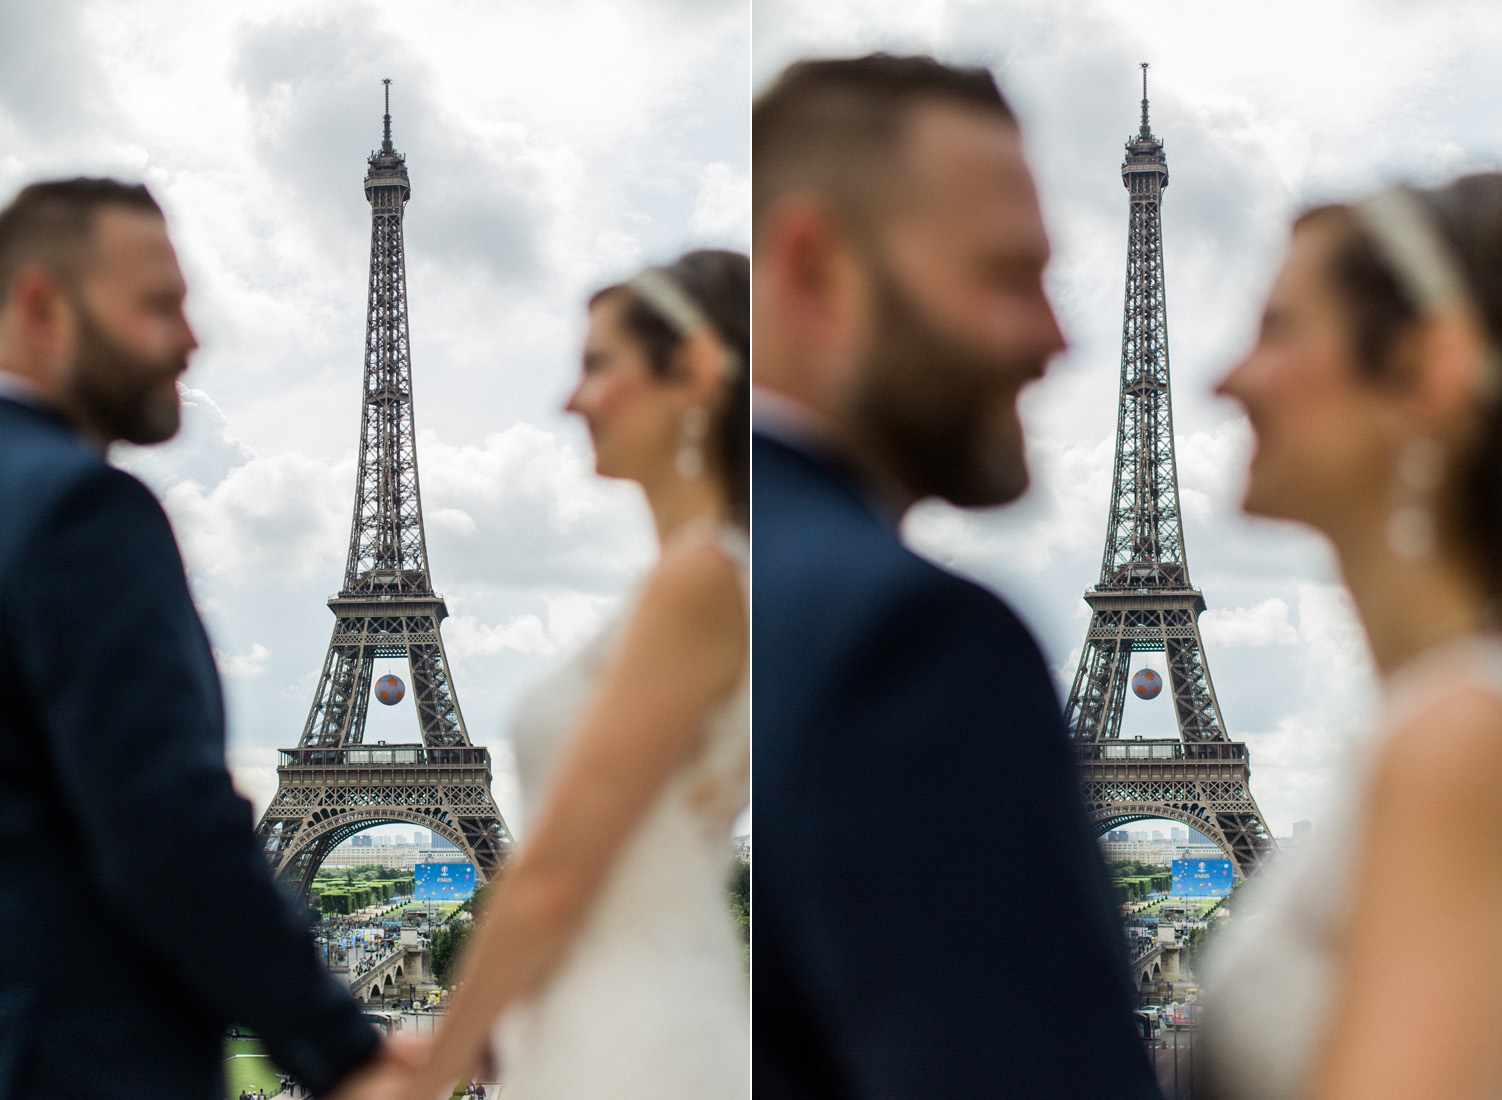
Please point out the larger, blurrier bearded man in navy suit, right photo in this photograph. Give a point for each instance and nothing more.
(933, 917)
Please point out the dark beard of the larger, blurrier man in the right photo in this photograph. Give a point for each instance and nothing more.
(927, 405)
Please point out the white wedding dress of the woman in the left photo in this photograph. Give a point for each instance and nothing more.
(651, 1000)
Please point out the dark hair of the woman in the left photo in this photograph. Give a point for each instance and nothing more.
(720, 285)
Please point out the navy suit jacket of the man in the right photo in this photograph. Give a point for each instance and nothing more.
(932, 914)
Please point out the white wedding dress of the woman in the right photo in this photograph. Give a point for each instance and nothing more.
(1270, 984)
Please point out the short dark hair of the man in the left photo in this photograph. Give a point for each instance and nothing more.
(52, 225)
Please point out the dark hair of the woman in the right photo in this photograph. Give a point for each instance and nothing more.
(1468, 219)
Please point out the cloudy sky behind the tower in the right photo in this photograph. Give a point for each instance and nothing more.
(1265, 109)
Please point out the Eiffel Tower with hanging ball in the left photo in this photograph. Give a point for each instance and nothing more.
(333, 785)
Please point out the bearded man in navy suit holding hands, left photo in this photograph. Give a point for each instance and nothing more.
(137, 914)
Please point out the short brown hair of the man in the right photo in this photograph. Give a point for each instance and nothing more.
(834, 127)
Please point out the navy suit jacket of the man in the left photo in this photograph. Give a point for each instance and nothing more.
(137, 913)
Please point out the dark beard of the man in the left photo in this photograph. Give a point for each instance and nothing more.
(118, 390)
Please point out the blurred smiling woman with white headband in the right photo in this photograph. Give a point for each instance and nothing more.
(1375, 967)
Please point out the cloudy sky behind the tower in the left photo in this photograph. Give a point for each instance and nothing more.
(552, 148)
